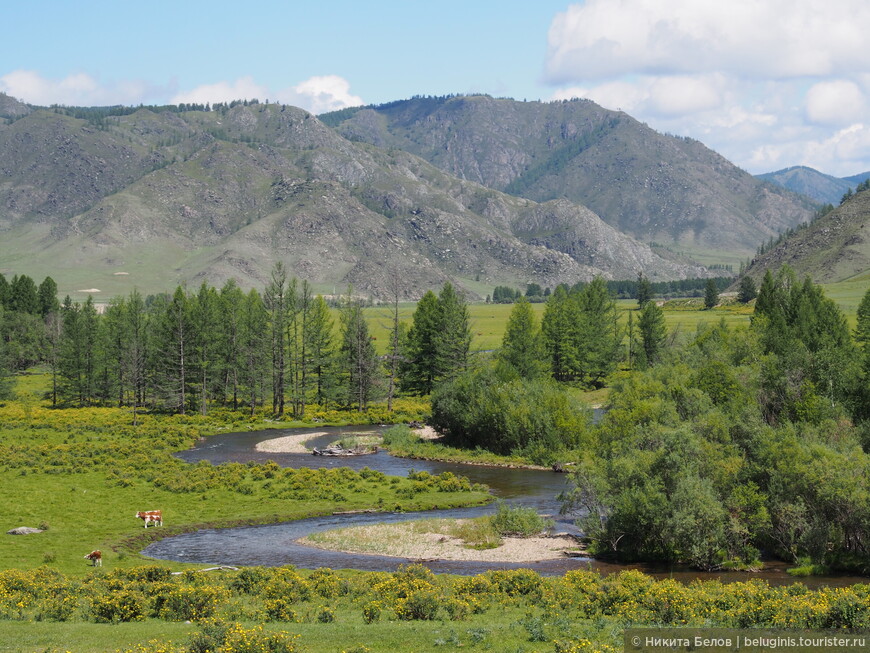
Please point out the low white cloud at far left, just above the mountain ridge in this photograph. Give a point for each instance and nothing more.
(78, 89)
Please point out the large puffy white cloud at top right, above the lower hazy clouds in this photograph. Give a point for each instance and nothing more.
(772, 39)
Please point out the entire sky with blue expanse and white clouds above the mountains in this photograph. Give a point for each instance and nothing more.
(767, 83)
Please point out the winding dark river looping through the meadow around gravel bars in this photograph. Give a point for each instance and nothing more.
(275, 544)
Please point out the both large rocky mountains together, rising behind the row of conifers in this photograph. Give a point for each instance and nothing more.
(111, 198)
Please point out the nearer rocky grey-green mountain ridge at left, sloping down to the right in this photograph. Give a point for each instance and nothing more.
(110, 197)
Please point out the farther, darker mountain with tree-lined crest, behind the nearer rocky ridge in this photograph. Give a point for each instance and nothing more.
(653, 186)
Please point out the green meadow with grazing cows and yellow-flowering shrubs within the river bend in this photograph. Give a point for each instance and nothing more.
(83, 473)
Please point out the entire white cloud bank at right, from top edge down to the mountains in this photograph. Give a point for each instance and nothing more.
(767, 84)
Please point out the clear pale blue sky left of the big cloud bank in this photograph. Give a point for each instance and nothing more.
(385, 50)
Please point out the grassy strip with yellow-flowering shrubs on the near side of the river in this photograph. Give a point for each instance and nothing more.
(146, 610)
